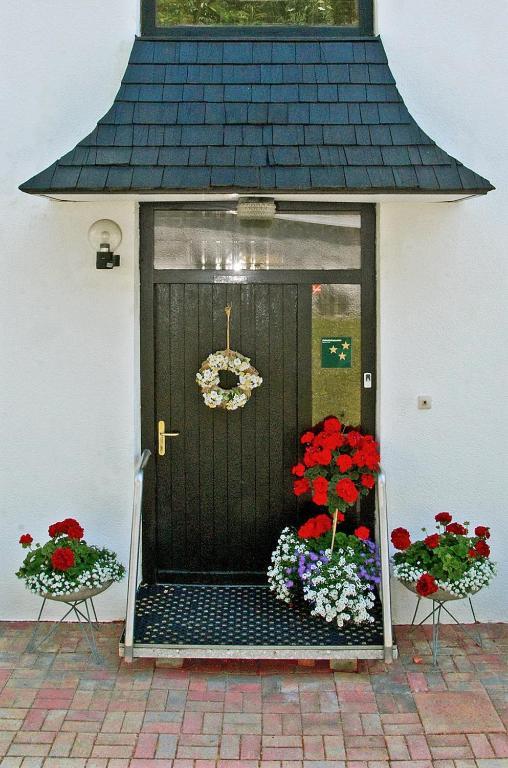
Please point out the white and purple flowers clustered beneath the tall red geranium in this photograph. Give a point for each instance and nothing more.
(339, 587)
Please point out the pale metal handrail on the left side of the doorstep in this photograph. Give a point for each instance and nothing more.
(132, 577)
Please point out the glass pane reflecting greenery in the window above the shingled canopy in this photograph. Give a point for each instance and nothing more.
(253, 12)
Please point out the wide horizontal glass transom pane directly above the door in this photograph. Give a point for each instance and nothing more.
(220, 240)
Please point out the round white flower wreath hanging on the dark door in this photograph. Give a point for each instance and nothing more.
(208, 379)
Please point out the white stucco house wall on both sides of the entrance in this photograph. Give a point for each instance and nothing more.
(69, 333)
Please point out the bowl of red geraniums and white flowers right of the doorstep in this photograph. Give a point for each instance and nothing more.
(449, 564)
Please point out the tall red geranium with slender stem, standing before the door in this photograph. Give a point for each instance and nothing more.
(340, 463)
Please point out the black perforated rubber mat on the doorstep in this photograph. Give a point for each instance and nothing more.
(197, 614)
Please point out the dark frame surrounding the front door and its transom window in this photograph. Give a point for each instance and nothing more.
(365, 276)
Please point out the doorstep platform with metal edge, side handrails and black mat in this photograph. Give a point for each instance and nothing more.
(243, 621)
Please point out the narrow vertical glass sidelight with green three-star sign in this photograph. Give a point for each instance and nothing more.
(336, 352)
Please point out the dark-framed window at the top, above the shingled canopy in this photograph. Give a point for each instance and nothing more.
(338, 17)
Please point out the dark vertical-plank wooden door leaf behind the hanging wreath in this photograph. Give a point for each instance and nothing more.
(223, 487)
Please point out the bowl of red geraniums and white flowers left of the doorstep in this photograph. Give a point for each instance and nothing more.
(66, 568)
